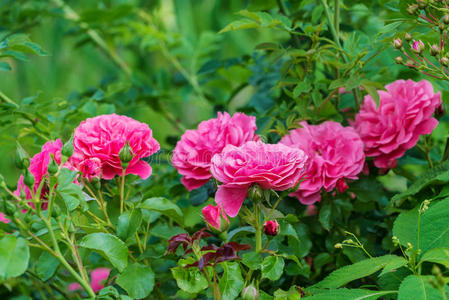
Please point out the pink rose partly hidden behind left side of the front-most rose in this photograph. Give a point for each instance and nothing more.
(193, 153)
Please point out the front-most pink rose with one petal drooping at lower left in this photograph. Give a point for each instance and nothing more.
(276, 167)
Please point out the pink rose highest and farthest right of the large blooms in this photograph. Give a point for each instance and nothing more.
(405, 112)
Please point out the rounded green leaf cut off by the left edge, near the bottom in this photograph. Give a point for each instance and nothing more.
(14, 256)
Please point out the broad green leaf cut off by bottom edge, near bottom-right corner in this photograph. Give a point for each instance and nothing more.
(418, 287)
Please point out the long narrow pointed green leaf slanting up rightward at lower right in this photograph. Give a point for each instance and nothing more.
(358, 270)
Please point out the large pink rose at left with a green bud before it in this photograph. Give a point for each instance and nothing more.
(102, 138)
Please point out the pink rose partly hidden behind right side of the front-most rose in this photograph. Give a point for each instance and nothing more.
(335, 153)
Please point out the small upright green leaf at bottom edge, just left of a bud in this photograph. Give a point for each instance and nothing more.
(231, 282)
